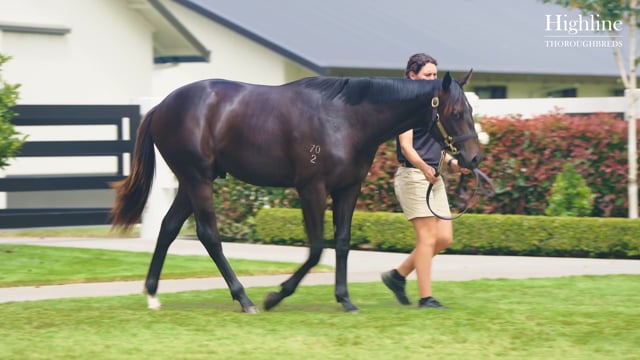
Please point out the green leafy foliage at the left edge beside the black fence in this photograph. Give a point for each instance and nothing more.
(10, 139)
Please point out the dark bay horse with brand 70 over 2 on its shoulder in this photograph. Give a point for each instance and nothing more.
(319, 135)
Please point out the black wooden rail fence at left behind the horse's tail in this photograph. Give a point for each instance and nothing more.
(56, 115)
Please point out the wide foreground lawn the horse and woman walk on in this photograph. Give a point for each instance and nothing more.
(585, 317)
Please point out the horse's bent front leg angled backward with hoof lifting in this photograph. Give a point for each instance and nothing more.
(313, 199)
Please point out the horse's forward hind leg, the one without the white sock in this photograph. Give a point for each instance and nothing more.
(209, 236)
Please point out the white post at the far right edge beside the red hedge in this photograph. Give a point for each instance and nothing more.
(632, 96)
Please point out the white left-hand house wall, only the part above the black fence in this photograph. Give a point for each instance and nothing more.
(106, 58)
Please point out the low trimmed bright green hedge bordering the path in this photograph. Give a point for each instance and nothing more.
(473, 234)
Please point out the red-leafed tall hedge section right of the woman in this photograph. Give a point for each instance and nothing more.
(524, 156)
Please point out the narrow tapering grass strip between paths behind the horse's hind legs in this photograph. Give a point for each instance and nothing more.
(22, 265)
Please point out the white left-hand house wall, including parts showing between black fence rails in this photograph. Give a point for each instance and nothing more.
(106, 58)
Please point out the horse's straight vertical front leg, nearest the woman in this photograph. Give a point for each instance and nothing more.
(344, 202)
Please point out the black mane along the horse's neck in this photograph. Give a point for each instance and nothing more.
(375, 90)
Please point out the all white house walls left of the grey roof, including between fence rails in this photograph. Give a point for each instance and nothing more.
(107, 58)
